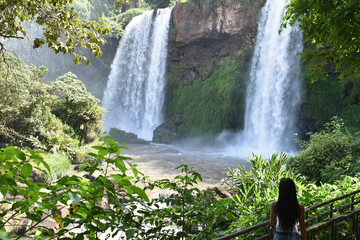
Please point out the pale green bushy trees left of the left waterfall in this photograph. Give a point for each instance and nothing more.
(50, 117)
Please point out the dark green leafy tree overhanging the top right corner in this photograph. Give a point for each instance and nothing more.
(332, 33)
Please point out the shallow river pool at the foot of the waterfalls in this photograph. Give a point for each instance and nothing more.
(158, 161)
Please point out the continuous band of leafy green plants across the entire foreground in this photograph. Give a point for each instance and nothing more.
(96, 207)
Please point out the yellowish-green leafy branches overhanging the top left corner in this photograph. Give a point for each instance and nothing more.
(63, 30)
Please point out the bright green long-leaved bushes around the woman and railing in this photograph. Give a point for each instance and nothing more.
(258, 188)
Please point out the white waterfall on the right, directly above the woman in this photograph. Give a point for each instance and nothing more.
(274, 88)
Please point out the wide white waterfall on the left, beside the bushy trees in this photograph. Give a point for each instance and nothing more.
(134, 92)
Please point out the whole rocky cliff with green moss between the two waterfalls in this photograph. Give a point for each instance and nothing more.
(209, 55)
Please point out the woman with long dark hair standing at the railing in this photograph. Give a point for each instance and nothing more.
(286, 212)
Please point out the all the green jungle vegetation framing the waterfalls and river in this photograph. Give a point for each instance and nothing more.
(45, 127)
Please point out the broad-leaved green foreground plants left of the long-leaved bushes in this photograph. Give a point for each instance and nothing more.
(95, 206)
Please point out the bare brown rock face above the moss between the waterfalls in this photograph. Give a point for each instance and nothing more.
(203, 34)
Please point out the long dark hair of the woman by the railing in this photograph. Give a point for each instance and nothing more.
(288, 208)
